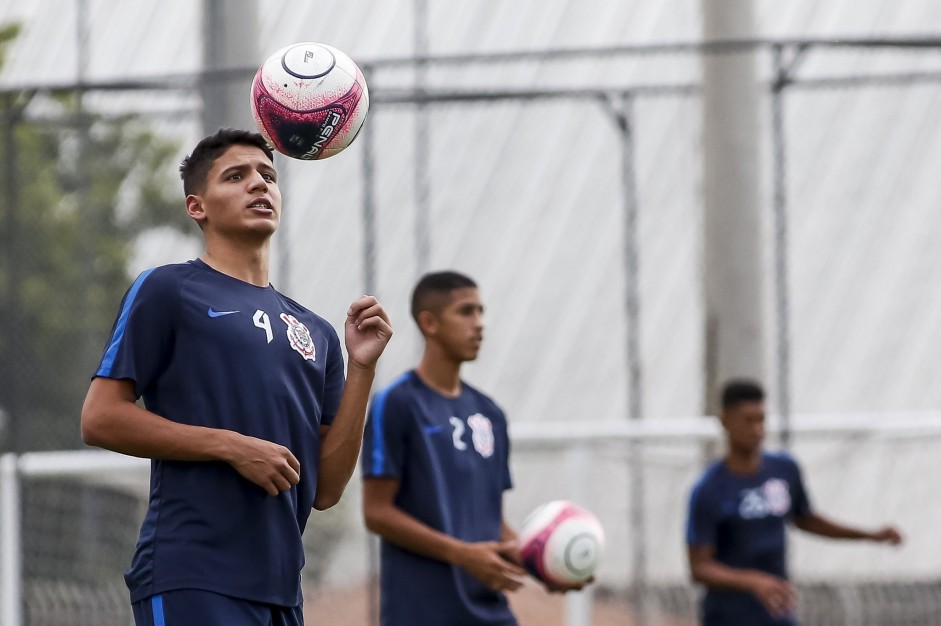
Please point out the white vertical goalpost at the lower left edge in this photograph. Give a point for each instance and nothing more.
(10, 565)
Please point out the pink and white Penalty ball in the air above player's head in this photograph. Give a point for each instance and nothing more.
(309, 100)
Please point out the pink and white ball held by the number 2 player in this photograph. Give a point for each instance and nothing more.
(561, 542)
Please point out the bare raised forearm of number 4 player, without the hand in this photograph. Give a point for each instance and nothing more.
(340, 448)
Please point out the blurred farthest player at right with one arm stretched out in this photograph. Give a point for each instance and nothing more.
(737, 515)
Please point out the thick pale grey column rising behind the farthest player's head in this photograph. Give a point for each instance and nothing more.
(733, 290)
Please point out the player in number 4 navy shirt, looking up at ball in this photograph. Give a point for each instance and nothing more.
(246, 412)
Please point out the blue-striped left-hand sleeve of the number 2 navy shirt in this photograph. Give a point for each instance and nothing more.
(384, 441)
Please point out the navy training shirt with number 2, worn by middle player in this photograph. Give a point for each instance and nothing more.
(450, 457)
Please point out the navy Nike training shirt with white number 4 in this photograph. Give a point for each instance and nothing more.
(206, 349)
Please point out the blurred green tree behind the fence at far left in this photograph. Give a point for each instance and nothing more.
(80, 187)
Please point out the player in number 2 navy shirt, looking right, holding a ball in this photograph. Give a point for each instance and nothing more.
(435, 465)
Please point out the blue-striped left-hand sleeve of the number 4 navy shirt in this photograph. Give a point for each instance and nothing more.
(141, 338)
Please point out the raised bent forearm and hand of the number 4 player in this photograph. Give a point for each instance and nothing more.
(367, 333)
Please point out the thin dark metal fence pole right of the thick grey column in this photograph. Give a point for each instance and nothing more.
(782, 303)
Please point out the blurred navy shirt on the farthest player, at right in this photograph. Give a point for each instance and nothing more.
(744, 518)
